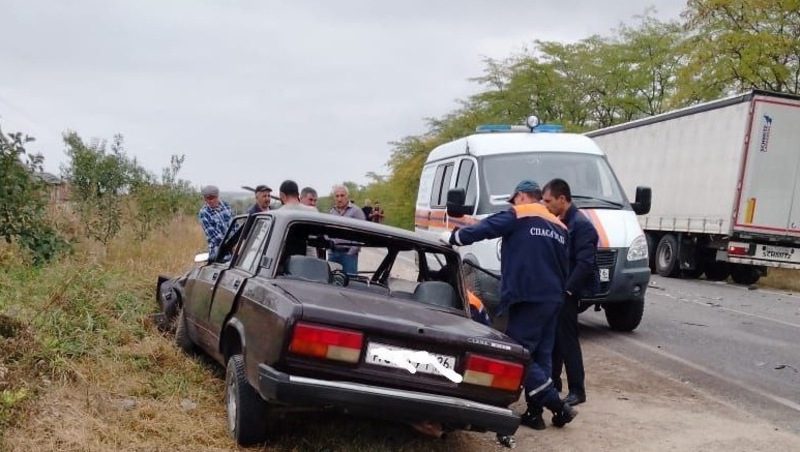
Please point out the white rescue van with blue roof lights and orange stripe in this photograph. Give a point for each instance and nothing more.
(486, 166)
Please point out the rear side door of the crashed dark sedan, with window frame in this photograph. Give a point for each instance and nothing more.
(232, 280)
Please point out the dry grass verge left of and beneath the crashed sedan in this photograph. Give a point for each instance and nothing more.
(89, 372)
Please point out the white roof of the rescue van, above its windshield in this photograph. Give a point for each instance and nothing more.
(483, 144)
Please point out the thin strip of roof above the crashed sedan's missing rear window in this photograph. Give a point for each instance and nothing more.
(287, 216)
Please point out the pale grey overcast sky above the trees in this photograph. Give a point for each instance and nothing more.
(260, 91)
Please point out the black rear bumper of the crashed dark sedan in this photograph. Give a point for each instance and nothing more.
(392, 404)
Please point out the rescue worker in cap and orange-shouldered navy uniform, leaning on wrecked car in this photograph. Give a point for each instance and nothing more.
(533, 267)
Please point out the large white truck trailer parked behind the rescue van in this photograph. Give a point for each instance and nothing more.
(726, 176)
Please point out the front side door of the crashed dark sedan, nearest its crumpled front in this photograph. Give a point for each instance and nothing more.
(201, 290)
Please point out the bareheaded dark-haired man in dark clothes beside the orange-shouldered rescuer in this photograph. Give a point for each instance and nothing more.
(581, 282)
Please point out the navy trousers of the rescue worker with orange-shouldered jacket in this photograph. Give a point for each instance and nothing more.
(533, 325)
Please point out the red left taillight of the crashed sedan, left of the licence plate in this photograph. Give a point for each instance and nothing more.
(326, 342)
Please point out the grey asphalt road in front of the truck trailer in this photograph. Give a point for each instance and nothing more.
(740, 345)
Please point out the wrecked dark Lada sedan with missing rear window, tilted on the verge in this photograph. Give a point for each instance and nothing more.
(394, 340)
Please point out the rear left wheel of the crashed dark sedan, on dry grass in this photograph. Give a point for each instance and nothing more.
(247, 411)
